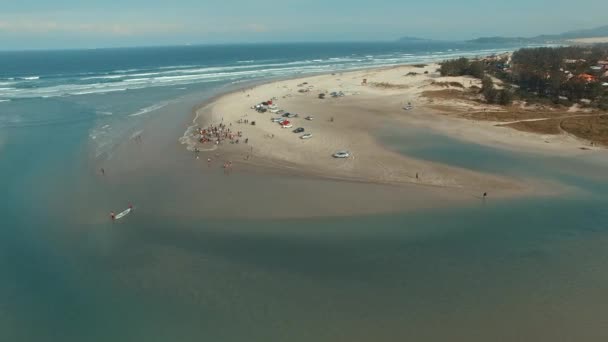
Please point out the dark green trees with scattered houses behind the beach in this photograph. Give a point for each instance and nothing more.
(563, 75)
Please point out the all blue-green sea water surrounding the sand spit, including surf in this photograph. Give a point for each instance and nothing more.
(525, 269)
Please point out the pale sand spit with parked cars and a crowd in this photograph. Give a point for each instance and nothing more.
(350, 122)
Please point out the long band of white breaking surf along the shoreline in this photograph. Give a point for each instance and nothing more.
(182, 75)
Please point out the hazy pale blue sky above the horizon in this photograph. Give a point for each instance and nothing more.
(36, 24)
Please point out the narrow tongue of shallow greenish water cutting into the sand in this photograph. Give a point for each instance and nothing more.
(584, 171)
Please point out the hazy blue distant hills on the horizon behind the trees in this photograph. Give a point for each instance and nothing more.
(590, 33)
